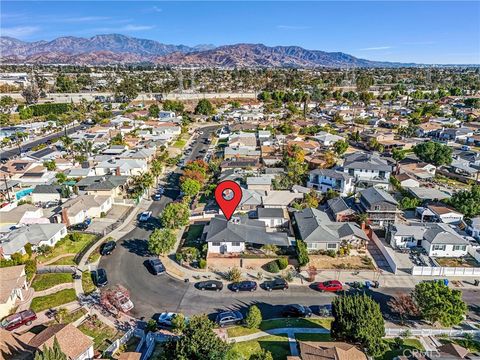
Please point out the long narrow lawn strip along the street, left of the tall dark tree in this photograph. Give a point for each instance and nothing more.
(280, 323)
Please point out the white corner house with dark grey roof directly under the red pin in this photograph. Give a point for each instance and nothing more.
(236, 235)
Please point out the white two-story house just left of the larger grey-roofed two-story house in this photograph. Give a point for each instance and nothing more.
(329, 179)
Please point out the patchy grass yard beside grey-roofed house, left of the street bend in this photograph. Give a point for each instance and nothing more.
(69, 245)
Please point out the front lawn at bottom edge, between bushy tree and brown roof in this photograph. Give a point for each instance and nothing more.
(276, 344)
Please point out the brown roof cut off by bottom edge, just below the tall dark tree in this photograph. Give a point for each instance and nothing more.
(328, 351)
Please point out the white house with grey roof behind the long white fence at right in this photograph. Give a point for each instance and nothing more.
(437, 239)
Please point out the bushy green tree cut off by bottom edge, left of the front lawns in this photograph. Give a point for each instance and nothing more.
(199, 342)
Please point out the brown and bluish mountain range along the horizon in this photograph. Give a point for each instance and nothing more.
(121, 49)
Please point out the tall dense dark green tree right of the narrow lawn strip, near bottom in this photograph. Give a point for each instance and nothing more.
(358, 319)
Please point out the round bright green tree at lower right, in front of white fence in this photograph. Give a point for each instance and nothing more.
(438, 303)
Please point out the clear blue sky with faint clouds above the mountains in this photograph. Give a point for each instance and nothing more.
(407, 31)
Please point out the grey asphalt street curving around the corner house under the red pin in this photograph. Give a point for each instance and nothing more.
(154, 294)
